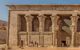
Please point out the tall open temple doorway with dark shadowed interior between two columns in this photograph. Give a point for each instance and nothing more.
(64, 33)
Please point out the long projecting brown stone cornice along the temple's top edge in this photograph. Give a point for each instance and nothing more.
(45, 7)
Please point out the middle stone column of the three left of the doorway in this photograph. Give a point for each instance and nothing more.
(41, 29)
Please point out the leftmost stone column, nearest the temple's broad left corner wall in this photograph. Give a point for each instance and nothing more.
(29, 27)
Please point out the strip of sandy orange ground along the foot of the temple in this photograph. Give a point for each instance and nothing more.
(47, 48)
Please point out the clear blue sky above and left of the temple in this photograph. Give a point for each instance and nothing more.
(4, 8)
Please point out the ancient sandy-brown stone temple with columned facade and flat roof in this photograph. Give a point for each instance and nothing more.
(44, 26)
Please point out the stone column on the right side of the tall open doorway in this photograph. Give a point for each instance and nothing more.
(73, 28)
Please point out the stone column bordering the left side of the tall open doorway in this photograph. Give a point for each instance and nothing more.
(55, 28)
